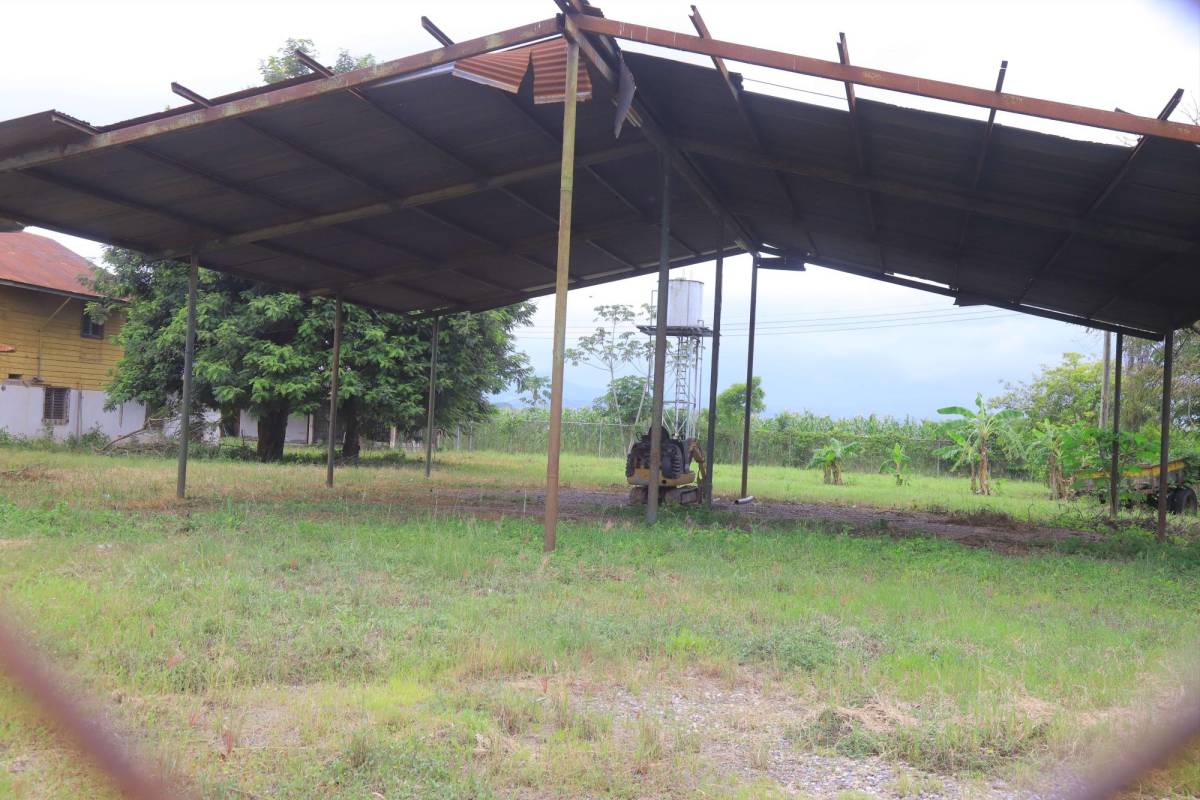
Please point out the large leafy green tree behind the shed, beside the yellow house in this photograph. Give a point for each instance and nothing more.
(267, 351)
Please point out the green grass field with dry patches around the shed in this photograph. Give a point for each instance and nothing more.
(273, 639)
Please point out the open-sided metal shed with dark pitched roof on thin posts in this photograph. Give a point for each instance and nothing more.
(472, 177)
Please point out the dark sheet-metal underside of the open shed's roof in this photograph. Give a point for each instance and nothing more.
(392, 197)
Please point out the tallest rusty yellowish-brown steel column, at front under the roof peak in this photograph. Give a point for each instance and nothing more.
(562, 275)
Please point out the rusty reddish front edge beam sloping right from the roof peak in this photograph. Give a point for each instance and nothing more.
(891, 81)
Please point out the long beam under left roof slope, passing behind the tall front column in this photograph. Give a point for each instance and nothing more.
(401, 203)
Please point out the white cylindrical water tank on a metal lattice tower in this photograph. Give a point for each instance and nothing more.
(686, 354)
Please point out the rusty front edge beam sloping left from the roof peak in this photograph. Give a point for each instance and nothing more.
(285, 95)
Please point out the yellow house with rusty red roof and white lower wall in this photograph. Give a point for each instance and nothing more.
(55, 359)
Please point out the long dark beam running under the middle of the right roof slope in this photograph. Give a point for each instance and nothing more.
(955, 199)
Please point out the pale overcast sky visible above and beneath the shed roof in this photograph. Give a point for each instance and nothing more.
(829, 342)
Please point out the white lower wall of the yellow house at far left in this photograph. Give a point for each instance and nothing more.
(21, 413)
